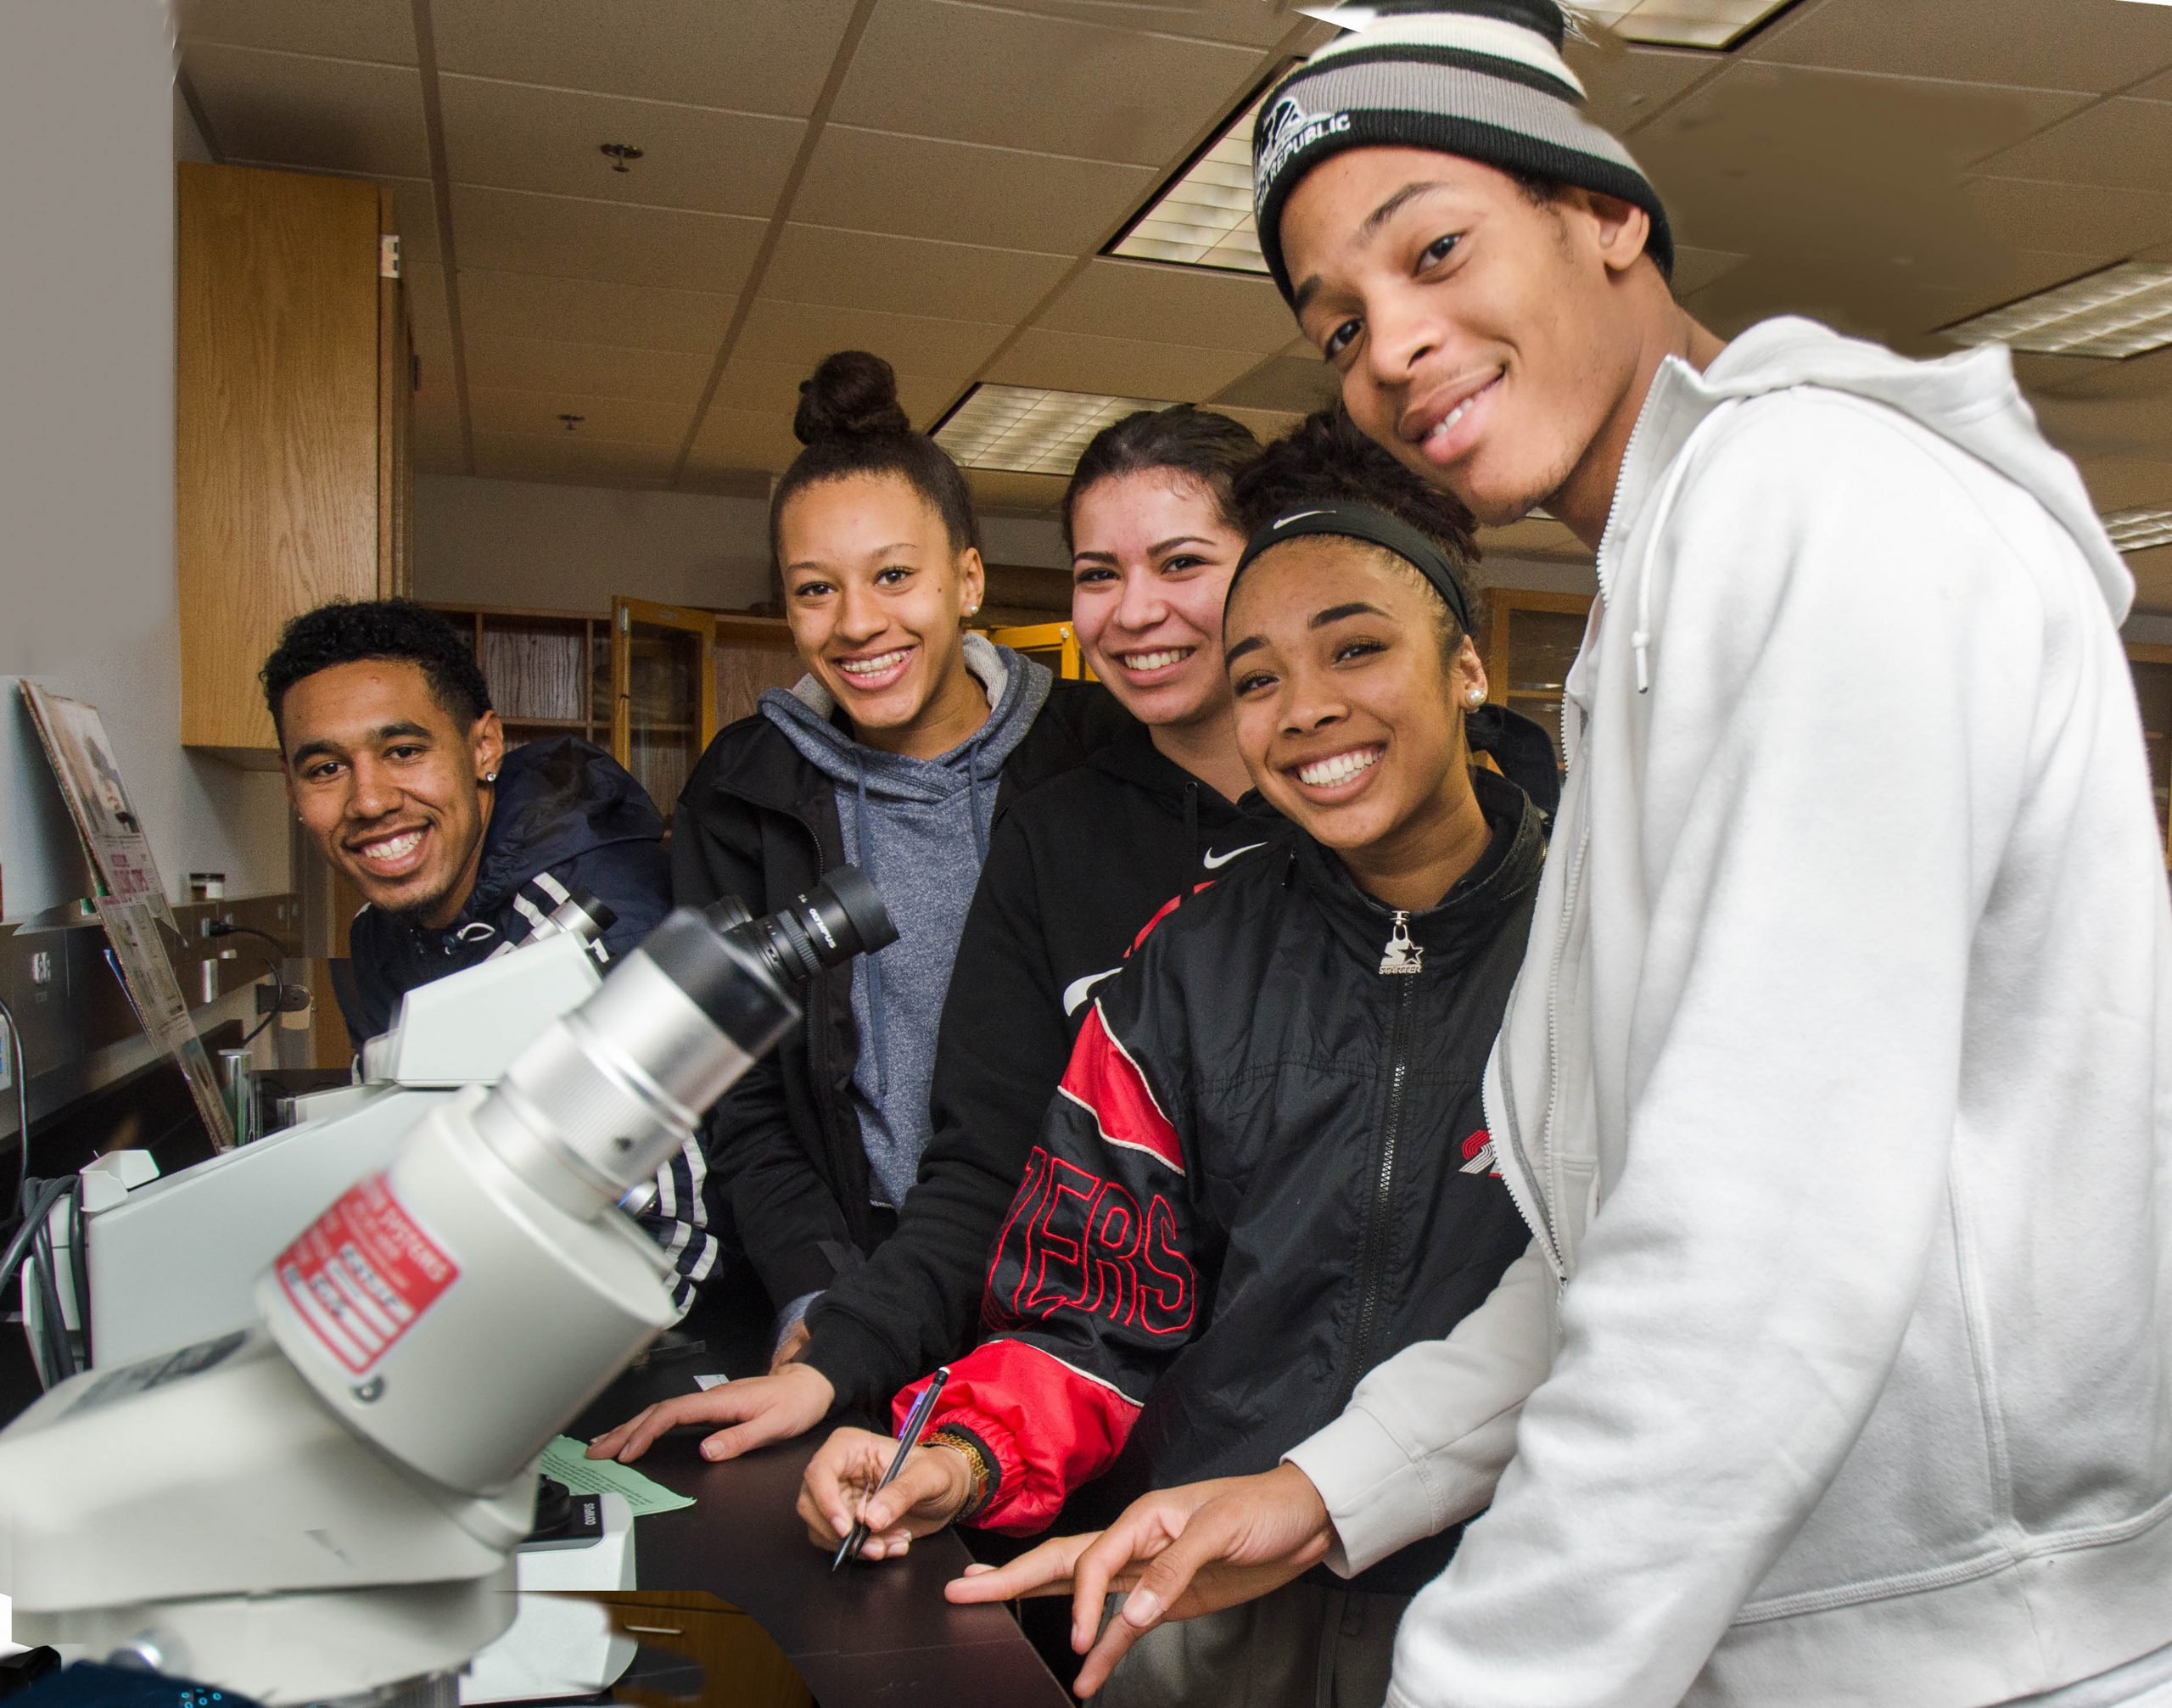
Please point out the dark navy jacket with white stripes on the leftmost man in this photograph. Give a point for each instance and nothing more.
(566, 816)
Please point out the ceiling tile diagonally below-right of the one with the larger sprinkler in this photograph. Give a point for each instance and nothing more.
(909, 275)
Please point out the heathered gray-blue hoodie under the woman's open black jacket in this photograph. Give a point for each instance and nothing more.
(920, 831)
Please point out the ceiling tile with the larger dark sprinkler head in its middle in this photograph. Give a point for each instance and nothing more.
(516, 136)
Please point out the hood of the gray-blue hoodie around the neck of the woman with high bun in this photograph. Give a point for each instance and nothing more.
(809, 718)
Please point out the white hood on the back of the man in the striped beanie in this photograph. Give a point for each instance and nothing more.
(1971, 401)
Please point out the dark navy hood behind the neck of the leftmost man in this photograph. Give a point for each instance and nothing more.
(557, 801)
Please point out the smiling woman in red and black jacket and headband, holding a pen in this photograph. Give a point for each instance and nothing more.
(1267, 1164)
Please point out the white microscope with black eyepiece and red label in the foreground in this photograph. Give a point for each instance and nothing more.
(325, 1500)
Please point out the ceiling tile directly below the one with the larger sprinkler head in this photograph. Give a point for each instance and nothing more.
(572, 238)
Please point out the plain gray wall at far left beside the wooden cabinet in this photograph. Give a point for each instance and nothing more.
(88, 599)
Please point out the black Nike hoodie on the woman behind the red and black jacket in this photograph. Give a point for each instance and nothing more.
(1074, 872)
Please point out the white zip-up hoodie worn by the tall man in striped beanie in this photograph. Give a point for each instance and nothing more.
(1836, 1094)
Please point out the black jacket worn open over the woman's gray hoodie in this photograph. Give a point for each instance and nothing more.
(759, 822)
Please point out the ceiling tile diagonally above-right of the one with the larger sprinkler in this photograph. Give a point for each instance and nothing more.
(942, 68)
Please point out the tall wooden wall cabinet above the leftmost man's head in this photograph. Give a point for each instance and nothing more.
(292, 403)
